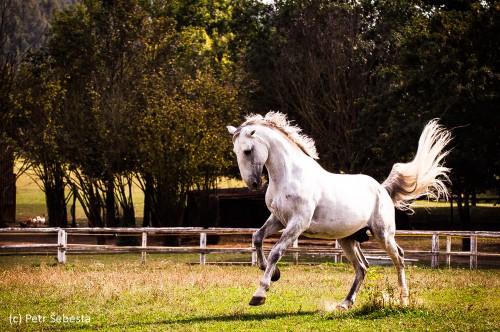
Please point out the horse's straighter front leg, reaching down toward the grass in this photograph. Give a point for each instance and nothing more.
(290, 234)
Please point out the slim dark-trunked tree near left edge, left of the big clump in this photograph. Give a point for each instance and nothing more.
(40, 98)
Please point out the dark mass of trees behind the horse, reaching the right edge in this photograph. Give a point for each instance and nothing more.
(364, 77)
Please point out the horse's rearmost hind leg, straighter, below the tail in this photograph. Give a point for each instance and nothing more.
(395, 252)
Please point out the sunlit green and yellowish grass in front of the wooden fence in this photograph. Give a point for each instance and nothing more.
(117, 293)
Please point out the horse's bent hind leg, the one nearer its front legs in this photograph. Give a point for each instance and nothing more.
(353, 253)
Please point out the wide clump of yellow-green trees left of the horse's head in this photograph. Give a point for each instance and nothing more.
(145, 91)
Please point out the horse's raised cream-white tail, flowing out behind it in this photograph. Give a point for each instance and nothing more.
(424, 175)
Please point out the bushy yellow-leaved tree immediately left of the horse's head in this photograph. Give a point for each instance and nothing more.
(184, 142)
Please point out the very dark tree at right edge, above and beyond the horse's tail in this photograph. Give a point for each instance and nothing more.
(451, 70)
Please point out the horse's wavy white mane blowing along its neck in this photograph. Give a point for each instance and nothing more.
(280, 122)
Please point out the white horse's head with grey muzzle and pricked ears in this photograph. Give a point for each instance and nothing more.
(251, 152)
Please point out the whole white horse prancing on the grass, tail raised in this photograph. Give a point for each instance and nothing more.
(305, 199)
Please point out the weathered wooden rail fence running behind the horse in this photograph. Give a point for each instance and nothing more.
(324, 248)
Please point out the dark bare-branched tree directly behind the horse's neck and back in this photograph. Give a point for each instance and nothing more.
(329, 62)
